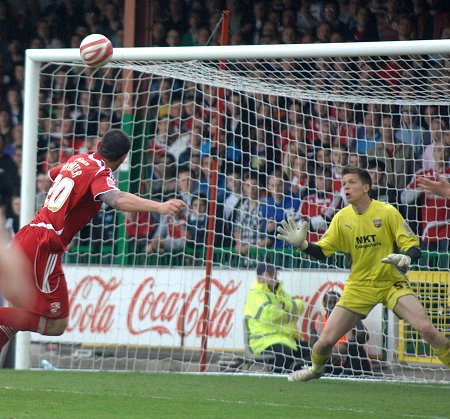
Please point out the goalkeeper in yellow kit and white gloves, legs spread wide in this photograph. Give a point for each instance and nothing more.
(370, 232)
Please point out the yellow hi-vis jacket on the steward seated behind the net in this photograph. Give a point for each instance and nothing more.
(271, 317)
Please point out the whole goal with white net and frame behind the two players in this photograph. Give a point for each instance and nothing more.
(267, 134)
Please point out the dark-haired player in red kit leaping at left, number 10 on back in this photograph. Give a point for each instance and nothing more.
(80, 186)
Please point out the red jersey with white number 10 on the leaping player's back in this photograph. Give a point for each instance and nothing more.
(73, 199)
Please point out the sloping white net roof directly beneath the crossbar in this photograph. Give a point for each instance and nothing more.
(384, 80)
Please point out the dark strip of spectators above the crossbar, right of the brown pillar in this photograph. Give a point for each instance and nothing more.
(307, 21)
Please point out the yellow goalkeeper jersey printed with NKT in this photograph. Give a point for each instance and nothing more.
(367, 238)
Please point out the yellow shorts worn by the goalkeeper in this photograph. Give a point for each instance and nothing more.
(362, 299)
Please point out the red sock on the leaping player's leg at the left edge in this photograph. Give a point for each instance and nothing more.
(13, 319)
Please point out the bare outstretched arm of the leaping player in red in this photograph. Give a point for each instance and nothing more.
(127, 202)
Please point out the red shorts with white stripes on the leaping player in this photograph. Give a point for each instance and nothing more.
(42, 248)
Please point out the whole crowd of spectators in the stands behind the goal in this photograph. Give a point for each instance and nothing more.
(276, 156)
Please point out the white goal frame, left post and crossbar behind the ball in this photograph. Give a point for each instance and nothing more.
(34, 59)
